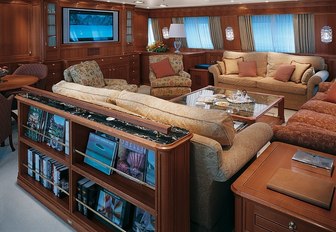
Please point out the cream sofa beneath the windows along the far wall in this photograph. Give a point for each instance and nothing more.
(267, 64)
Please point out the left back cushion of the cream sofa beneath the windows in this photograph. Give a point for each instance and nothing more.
(259, 57)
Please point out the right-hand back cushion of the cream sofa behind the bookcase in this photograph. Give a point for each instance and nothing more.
(215, 124)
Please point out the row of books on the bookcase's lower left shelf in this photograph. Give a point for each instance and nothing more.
(51, 174)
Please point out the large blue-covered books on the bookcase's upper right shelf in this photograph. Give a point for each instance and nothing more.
(104, 151)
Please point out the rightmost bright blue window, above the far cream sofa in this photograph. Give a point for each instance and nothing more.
(274, 33)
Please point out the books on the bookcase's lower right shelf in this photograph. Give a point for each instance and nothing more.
(112, 207)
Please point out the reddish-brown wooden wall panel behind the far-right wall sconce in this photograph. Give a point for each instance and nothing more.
(320, 21)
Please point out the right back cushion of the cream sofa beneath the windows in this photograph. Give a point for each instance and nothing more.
(274, 59)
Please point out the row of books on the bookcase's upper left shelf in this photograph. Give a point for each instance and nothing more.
(49, 128)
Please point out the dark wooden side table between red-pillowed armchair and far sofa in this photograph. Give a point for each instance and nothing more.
(200, 78)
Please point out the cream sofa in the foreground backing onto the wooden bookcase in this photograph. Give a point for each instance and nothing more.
(218, 154)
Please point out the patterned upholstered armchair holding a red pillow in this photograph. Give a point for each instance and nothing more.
(167, 77)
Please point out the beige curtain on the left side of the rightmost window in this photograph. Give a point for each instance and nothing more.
(246, 35)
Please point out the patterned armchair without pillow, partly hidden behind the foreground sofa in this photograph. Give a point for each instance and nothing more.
(88, 73)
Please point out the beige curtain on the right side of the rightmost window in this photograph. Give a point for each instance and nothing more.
(304, 33)
